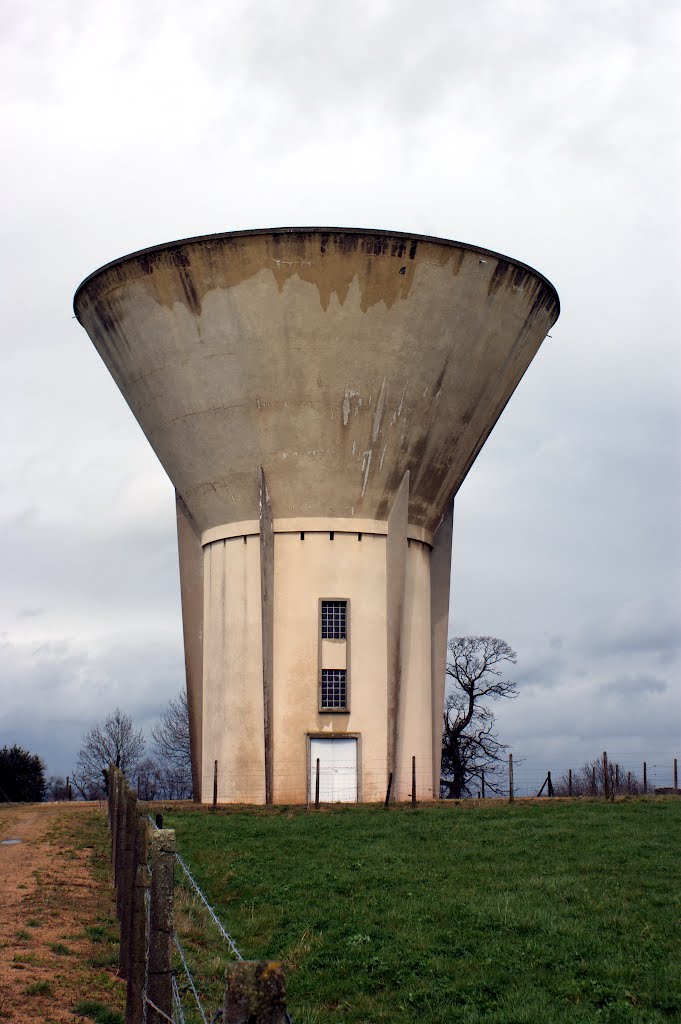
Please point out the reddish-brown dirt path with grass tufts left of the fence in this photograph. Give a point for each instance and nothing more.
(58, 940)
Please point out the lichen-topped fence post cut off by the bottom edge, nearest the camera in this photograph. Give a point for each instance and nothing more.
(256, 994)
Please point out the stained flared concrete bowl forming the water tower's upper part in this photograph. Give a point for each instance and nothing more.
(336, 360)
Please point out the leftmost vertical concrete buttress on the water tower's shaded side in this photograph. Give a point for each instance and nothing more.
(192, 592)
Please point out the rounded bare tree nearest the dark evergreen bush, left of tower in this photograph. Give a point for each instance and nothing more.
(116, 741)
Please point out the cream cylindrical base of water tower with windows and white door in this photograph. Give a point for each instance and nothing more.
(336, 662)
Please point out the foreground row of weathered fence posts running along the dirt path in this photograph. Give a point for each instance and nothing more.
(143, 867)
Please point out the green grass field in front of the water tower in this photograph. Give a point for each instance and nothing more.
(526, 914)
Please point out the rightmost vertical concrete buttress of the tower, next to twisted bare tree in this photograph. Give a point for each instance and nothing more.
(441, 571)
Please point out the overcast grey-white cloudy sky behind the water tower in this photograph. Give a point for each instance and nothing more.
(548, 132)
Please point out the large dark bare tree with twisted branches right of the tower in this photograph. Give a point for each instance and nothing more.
(470, 744)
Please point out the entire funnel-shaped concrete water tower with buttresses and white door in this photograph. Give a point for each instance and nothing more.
(317, 397)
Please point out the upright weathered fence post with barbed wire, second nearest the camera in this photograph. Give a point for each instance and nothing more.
(159, 978)
